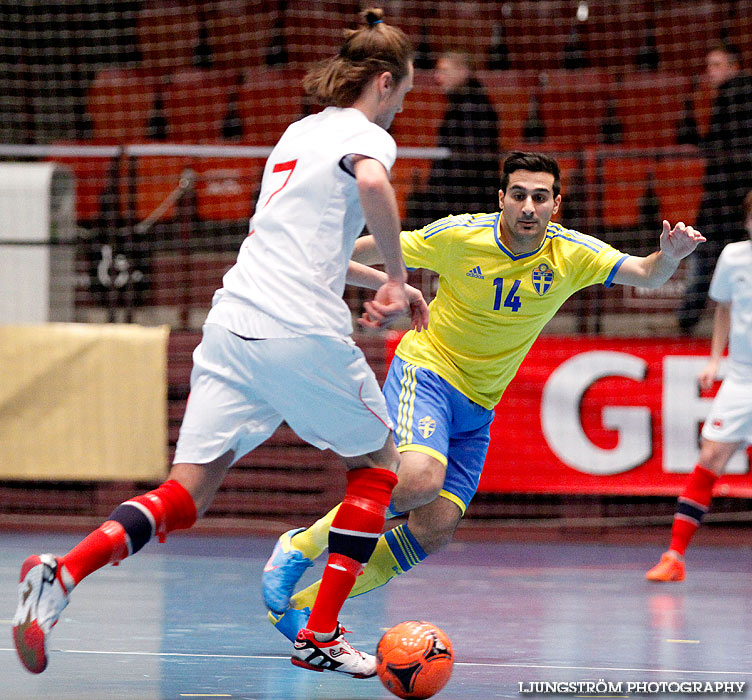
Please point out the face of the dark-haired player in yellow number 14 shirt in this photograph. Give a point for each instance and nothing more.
(527, 207)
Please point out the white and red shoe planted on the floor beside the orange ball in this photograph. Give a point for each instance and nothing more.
(333, 655)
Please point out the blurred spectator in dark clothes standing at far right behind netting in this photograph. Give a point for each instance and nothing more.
(727, 149)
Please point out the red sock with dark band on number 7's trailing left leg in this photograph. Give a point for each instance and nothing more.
(130, 526)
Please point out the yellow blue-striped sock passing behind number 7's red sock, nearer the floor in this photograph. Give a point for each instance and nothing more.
(381, 568)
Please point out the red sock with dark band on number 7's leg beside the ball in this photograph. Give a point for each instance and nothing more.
(352, 539)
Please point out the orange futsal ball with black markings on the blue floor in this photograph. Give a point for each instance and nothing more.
(414, 659)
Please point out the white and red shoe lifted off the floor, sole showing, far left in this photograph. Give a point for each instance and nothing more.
(42, 596)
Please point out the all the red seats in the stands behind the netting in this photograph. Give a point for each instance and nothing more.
(195, 102)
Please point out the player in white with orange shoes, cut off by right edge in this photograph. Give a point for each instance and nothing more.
(728, 426)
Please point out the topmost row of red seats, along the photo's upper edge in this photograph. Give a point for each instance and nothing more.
(536, 33)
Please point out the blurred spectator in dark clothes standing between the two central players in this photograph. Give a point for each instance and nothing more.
(468, 180)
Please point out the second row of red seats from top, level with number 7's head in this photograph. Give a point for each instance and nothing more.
(194, 104)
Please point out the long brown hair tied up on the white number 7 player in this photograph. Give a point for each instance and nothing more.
(368, 51)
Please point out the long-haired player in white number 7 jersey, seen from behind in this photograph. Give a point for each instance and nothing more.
(276, 346)
